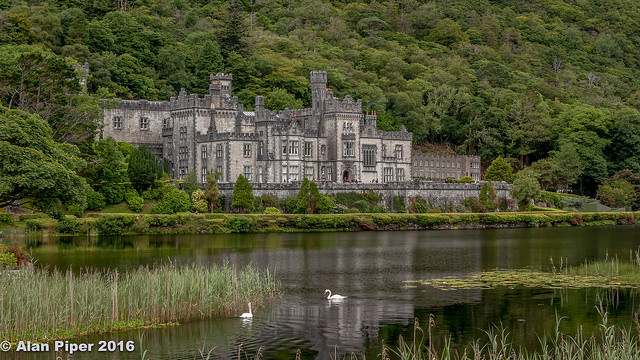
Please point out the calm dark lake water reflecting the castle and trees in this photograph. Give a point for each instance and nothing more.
(369, 268)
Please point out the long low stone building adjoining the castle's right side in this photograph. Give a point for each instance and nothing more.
(433, 166)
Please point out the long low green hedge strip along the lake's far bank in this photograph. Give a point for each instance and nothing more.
(220, 223)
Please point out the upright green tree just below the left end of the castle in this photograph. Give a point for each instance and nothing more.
(111, 170)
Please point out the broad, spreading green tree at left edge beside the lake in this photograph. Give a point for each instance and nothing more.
(35, 168)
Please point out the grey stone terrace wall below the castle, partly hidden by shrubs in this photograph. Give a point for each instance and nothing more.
(435, 193)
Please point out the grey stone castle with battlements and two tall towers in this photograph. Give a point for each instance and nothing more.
(333, 140)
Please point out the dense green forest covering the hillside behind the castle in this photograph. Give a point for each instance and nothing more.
(527, 80)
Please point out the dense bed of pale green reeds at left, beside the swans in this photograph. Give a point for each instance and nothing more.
(42, 305)
